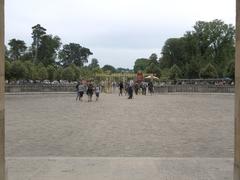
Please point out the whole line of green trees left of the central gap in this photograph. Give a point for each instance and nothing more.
(47, 58)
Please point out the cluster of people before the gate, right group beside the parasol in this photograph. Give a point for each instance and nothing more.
(136, 87)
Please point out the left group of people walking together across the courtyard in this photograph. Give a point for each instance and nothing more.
(89, 89)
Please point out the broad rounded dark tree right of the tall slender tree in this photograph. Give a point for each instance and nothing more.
(74, 54)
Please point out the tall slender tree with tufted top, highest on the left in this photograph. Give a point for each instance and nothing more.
(37, 32)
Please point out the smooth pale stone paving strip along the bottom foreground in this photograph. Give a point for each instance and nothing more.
(73, 168)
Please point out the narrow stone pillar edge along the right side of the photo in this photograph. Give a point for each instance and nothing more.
(237, 96)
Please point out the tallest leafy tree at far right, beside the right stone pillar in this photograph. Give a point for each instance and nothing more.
(215, 43)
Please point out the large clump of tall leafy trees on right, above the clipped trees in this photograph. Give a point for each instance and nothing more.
(209, 42)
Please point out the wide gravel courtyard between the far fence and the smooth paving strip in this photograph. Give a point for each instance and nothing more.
(174, 125)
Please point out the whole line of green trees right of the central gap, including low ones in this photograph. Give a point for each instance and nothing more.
(205, 52)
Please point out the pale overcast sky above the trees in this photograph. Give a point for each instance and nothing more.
(116, 31)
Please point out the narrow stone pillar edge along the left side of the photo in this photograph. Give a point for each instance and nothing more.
(2, 82)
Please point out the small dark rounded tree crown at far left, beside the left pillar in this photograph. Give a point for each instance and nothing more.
(17, 49)
